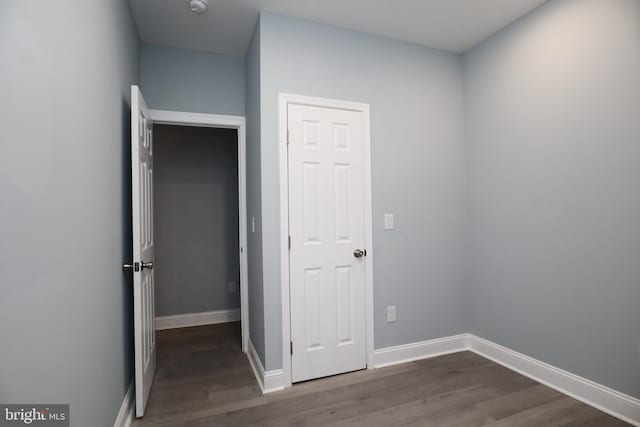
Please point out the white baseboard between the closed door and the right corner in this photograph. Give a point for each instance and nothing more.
(420, 350)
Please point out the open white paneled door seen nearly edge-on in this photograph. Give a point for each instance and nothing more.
(143, 257)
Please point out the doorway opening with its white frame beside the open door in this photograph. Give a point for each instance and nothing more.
(200, 220)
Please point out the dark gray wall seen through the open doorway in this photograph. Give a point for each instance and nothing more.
(195, 219)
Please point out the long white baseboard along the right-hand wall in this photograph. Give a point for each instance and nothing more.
(607, 400)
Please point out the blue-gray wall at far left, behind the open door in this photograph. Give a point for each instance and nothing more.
(65, 228)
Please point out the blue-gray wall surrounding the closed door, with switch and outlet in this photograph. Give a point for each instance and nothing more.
(416, 98)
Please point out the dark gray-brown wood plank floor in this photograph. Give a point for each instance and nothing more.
(203, 379)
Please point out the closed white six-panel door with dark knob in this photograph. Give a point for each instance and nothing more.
(327, 228)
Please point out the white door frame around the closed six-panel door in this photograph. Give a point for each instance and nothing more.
(284, 101)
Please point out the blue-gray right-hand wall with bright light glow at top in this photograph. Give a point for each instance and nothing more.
(553, 132)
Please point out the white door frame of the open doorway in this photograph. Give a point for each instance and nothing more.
(229, 122)
